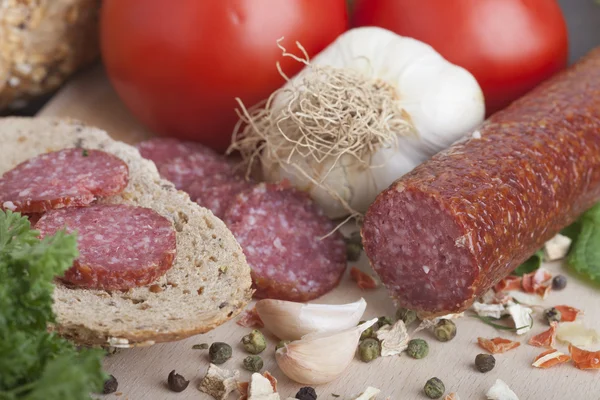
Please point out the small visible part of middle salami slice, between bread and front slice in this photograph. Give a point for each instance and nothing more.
(217, 192)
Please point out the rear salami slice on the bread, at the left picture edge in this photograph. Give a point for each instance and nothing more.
(65, 178)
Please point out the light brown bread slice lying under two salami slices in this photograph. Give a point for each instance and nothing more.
(208, 284)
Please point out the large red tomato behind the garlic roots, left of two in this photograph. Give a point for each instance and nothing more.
(178, 65)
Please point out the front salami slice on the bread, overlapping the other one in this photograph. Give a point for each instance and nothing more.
(120, 246)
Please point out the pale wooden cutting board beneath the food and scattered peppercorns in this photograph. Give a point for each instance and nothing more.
(142, 372)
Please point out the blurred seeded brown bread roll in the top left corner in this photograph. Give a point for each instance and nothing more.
(42, 42)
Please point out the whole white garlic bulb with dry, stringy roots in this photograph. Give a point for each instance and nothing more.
(386, 103)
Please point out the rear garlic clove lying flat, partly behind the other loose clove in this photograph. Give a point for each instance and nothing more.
(291, 321)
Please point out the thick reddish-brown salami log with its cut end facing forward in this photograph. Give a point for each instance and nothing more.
(443, 234)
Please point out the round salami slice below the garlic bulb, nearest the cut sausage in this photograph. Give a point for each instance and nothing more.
(281, 232)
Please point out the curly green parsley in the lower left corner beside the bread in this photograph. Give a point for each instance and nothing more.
(34, 363)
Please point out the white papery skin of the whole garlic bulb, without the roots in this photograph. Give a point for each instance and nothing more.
(439, 101)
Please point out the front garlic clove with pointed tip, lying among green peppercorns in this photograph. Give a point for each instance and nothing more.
(319, 358)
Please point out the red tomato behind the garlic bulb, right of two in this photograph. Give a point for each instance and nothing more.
(510, 46)
